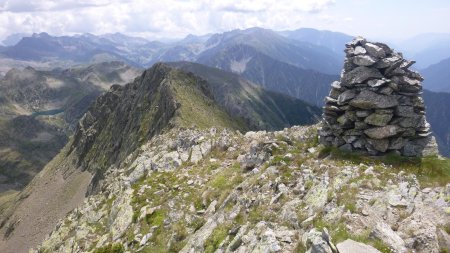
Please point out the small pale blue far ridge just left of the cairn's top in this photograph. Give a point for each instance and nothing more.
(335, 41)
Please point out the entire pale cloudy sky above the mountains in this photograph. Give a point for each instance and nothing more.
(156, 19)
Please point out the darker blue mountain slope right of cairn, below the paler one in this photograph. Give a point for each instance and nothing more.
(438, 114)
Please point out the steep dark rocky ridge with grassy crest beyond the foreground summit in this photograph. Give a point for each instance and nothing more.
(122, 120)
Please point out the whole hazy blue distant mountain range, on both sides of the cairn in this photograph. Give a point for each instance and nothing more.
(300, 63)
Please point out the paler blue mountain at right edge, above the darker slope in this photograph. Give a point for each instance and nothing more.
(437, 76)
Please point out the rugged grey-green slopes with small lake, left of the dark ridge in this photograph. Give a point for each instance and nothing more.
(39, 109)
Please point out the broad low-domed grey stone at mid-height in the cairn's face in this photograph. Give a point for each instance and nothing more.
(371, 100)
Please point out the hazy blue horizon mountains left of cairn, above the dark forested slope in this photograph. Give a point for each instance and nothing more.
(89, 48)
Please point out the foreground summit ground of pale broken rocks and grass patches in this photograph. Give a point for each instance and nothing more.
(215, 190)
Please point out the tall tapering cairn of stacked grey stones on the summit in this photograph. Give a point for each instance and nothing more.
(377, 106)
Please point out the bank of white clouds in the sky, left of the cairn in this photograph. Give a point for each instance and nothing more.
(151, 18)
